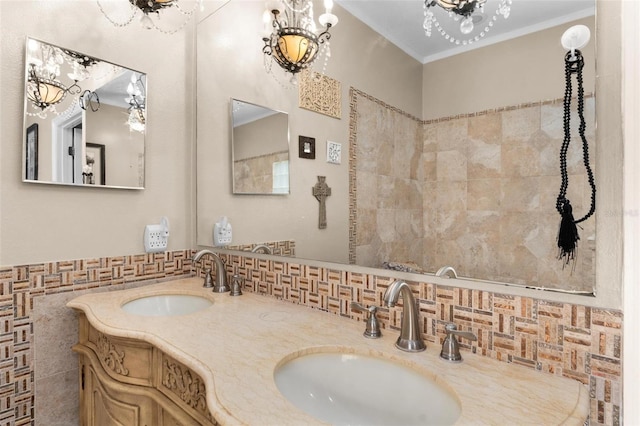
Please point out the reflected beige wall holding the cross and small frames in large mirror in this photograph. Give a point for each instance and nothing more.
(233, 37)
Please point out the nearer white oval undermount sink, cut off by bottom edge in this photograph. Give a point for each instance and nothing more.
(343, 389)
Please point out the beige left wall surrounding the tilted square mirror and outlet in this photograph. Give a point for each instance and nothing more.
(44, 222)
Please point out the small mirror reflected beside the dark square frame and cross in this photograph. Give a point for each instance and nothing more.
(259, 149)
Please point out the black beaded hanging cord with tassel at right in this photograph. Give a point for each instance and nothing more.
(568, 234)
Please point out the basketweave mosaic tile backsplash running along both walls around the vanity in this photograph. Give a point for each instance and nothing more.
(576, 341)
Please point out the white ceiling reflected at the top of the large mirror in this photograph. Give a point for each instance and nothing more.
(400, 22)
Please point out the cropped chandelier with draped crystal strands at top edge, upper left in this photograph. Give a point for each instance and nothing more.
(148, 9)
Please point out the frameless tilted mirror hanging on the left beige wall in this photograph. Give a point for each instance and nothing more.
(84, 119)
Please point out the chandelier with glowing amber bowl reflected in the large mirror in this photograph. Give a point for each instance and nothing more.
(290, 37)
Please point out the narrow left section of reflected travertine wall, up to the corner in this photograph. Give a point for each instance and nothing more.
(386, 184)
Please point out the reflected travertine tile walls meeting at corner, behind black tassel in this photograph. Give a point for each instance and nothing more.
(476, 192)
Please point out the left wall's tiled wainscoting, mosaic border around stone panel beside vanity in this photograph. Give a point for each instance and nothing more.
(23, 286)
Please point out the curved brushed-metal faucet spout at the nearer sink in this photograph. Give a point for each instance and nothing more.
(409, 339)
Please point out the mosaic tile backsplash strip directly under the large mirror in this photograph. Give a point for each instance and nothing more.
(575, 341)
